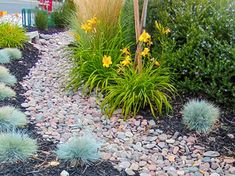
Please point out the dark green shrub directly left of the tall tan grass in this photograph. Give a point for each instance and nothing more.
(62, 16)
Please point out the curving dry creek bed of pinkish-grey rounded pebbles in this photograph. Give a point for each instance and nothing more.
(136, 146)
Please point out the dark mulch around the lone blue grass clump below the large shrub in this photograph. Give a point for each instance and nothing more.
(218, 139)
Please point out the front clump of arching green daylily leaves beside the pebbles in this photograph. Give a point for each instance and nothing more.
(133, 91)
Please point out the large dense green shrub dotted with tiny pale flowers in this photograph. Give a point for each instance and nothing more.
(199, 48)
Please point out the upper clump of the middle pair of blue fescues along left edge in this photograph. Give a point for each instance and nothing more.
(6, 77)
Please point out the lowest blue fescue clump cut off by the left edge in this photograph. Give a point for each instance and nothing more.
(16, 146)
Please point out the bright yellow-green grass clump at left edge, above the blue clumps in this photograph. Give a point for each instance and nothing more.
(12, 36)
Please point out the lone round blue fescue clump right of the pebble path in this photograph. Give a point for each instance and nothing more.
(200, 115)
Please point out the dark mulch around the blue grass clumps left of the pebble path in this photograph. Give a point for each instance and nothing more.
(38, 166)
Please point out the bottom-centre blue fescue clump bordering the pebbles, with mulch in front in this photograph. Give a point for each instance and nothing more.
(82, 149)
